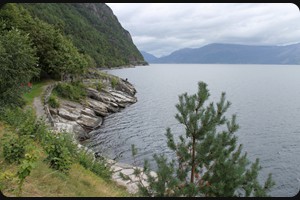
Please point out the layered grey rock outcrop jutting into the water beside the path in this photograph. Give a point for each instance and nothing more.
(81, 118)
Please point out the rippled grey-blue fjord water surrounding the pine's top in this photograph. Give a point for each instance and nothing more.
(266, 99)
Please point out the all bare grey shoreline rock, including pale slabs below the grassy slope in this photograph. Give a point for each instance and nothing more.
(79, 119)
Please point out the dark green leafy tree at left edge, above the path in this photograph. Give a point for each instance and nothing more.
(18, 65)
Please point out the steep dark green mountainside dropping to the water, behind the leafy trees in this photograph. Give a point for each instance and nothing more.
(93, 28)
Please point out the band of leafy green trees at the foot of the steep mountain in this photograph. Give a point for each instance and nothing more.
(57, 56)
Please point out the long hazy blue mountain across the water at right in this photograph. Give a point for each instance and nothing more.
(235, 54)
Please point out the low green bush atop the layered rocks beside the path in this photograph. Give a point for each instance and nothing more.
(73, 92)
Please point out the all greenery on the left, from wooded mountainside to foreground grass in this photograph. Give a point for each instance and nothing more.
(40, 43)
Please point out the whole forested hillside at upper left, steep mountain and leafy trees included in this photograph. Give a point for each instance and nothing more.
(59, 41)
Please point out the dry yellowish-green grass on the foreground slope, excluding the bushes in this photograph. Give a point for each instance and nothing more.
(46, 182)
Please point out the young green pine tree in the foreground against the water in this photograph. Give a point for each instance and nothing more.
(208, 162)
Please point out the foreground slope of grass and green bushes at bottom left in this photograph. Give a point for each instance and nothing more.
(50, 163)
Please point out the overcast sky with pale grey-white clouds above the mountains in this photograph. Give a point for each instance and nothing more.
(161, 28)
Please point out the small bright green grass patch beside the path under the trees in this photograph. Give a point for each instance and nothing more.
(36, 90)
